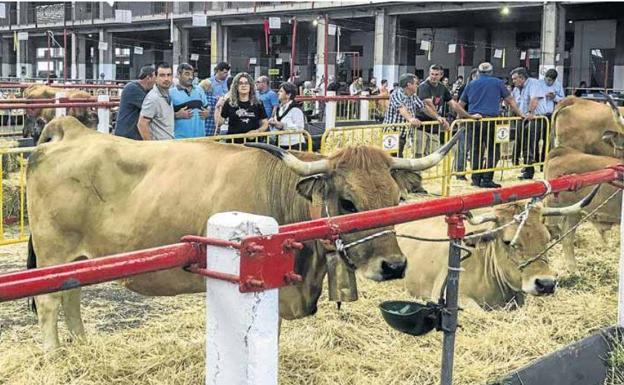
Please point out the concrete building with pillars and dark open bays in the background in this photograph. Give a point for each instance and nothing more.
(91, 40)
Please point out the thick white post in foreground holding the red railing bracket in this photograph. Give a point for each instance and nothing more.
(241, 328)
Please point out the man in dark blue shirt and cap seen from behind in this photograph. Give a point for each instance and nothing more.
(483, 98)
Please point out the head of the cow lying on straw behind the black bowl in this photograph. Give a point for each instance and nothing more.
(511, 253)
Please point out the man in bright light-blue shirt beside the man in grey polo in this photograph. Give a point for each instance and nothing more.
(190, 105)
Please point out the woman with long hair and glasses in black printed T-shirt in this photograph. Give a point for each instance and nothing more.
(244, 111)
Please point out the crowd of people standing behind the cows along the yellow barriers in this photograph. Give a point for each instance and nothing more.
(158, 106)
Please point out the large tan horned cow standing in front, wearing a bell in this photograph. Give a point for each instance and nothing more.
(91, 195)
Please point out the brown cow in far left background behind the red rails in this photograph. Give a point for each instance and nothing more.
(37, 118)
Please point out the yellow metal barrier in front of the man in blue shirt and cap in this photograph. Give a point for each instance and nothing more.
(498, 144)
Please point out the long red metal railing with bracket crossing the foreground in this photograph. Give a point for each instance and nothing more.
(267, 261)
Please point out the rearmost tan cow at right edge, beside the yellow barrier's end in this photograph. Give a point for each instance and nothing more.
(590, 127)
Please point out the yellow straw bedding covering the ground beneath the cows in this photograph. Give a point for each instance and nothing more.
(142, 340)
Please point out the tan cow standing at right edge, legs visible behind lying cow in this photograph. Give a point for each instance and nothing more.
(564, 161)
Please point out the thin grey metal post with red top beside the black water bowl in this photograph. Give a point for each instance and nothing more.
(456, 232)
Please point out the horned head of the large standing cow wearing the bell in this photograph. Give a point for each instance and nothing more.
(359, 179)
